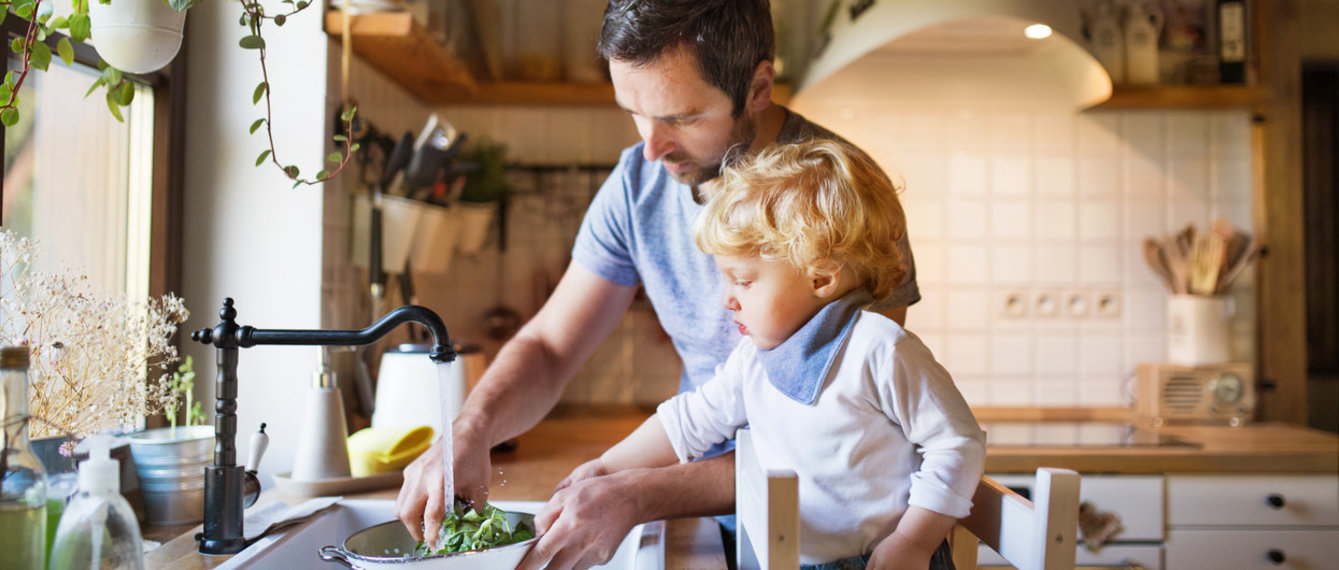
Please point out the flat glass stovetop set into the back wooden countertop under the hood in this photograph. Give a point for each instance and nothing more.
(1076, 434)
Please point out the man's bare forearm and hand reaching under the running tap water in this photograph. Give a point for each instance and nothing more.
(524, 382)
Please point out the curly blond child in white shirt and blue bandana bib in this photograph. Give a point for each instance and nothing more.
(887, 452)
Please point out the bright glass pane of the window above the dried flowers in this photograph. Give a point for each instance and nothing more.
(80, 181)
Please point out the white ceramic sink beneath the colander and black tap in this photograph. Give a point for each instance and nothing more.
(643, 549)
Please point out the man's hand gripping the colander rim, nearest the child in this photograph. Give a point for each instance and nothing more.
(584, 522)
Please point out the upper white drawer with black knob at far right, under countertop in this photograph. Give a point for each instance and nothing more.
(1253, 501)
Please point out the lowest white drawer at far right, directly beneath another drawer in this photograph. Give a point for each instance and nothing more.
(1253, 549)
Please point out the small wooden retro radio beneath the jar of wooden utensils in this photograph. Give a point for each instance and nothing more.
(1211, 394)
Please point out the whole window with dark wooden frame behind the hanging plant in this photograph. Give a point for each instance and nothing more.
(101, 196)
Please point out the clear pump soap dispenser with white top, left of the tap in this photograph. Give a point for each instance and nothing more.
(98, 529)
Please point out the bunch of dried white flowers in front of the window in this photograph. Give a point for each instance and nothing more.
(98, 363)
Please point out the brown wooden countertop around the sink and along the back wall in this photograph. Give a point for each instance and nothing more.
(564, 441)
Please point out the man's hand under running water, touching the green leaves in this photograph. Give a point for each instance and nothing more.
(422, 502)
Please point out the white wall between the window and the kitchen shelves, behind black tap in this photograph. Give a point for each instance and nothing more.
(248, 235)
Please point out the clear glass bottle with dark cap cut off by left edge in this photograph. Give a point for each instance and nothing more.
(23, 497)
